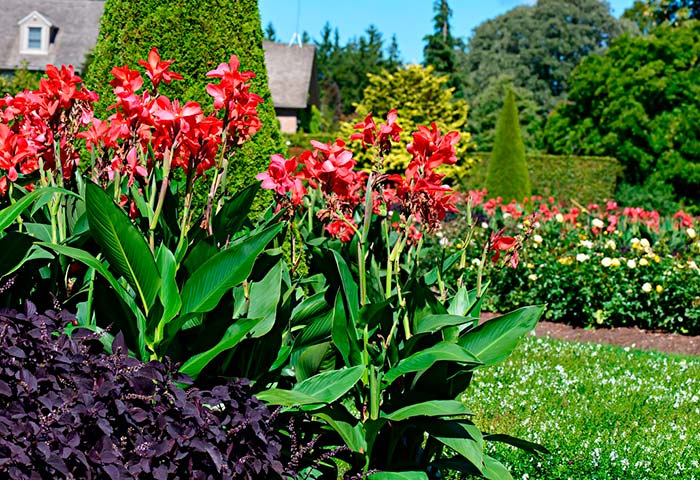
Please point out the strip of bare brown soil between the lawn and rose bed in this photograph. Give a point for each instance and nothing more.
(622, 336)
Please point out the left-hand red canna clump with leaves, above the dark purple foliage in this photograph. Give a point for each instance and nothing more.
(110, 238)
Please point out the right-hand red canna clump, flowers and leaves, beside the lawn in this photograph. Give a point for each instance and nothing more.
(383, 368)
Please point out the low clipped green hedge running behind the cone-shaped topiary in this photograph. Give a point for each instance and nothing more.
(566, 177)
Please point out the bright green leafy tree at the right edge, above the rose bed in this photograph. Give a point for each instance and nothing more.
(638, 102)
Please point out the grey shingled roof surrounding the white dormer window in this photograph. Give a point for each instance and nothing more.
(77, 23)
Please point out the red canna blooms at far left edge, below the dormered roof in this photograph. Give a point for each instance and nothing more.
(36, 128)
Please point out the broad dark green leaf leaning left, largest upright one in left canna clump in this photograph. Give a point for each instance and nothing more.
(122, 244)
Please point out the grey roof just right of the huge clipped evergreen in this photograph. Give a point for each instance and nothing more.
(289, 69)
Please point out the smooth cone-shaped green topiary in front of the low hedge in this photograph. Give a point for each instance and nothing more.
(507, 175)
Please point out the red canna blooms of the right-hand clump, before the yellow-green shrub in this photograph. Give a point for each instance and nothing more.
(418, 197)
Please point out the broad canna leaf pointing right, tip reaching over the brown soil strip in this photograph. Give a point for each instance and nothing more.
(495, 339)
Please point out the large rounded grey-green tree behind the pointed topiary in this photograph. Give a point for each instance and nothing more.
(537, 47)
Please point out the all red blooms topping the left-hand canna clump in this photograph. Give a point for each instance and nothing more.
(146, 130)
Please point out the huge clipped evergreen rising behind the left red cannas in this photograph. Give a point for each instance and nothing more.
(198, 35)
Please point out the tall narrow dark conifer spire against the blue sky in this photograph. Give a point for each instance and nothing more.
(440, 48)
